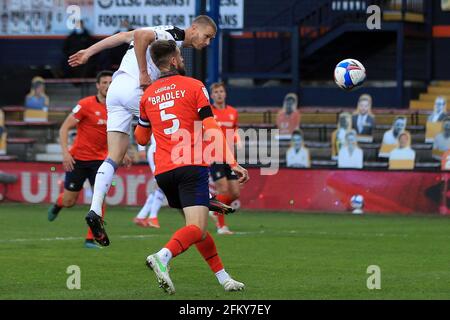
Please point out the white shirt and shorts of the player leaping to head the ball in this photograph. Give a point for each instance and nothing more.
(124, 93)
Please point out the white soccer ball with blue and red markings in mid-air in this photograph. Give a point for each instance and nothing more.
(349, 74)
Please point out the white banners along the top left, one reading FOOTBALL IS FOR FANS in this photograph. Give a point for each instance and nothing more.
(104, 17)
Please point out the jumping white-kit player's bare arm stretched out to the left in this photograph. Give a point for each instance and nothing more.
(82, 56)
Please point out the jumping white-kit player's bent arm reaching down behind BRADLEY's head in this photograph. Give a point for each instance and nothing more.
(142, 39)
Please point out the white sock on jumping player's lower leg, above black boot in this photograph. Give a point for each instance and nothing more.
(103, 179)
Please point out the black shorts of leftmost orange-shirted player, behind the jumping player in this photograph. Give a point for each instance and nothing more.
(82, 170)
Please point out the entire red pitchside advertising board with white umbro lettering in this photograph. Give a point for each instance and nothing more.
(309, 190)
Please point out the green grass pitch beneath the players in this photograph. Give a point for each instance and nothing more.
(277, 255)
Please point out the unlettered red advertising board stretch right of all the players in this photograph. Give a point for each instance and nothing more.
(331, 190)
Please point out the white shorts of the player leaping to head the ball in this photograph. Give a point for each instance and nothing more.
(122, 102)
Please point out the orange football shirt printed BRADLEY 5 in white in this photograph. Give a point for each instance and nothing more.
(171, 105)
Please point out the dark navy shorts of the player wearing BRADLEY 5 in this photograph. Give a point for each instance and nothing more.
(185, 186)
